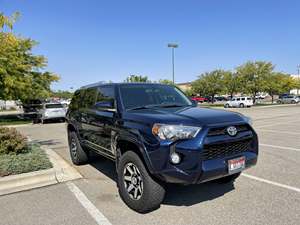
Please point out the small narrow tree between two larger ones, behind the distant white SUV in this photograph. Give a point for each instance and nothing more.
(232, 82)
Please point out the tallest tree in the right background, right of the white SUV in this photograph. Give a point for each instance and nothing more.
(254, 75)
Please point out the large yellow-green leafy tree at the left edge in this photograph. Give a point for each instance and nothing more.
(22, 74)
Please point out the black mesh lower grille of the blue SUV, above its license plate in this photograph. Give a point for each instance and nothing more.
(214, 151)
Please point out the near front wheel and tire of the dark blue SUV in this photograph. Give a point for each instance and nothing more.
(136, 187)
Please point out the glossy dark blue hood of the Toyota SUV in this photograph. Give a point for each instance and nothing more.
(186, 116)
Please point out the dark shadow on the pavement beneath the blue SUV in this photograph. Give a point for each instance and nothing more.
(177, 195)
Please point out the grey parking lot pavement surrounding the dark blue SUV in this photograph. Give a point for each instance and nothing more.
(268, 193)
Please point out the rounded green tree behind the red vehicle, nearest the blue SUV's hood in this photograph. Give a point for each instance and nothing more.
(209, 84)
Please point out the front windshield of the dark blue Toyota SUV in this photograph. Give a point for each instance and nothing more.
(143, 95)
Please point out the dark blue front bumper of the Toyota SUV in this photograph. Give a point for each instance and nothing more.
(197, 166)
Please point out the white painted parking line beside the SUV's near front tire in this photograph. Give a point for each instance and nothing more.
(88, 205)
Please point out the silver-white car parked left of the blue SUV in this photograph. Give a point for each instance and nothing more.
(52, 111)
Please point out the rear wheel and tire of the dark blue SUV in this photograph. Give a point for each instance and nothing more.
(78, 155)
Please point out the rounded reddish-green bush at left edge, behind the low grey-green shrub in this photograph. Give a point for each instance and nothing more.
(12, 141)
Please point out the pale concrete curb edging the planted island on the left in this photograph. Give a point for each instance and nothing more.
(61, 172)
